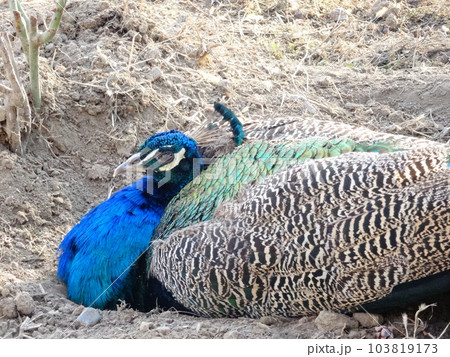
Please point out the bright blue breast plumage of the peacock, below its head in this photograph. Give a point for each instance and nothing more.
(101, 248)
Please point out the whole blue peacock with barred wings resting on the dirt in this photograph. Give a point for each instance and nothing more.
(263, 231)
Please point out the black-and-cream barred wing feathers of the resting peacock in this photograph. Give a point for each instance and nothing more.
(329, 234)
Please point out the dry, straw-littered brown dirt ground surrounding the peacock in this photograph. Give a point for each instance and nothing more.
(118, 71)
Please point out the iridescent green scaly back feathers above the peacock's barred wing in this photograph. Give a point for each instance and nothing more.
(248, 164)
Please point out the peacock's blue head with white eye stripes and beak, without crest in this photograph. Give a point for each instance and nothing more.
(170, 158)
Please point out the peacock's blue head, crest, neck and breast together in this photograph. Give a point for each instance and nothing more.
(96, 257)
